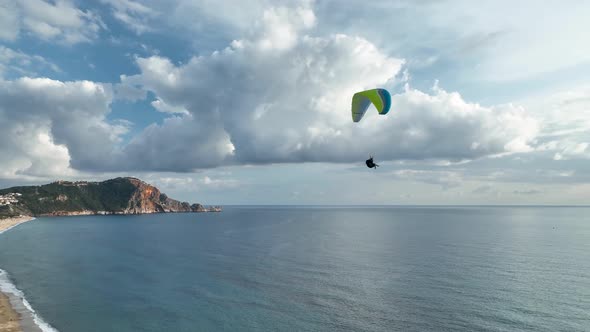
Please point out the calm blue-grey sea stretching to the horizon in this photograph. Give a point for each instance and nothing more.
(308, 269)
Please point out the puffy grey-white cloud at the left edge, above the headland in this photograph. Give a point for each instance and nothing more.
(46, 126)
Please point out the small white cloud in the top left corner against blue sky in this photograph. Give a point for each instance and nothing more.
(59, 21)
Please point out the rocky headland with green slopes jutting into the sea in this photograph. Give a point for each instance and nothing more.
(116, 196)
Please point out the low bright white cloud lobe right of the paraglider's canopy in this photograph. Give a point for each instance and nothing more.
(444, 126)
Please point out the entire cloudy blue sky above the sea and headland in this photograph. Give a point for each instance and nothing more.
(222, 103)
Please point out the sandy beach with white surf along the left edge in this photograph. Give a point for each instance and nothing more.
(16, 314)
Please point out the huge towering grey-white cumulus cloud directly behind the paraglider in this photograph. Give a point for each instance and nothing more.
(283, 95)
